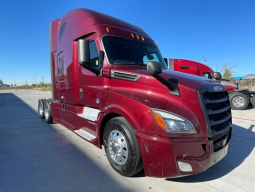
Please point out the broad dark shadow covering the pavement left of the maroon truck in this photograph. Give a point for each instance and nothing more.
(35, 157)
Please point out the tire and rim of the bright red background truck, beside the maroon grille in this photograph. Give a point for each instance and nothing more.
(238, 101)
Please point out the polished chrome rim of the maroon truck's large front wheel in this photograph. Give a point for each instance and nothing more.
(117, 147)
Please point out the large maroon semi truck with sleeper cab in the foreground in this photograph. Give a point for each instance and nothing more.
(112, 87)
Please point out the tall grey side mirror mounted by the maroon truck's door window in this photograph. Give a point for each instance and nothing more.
(83, 52)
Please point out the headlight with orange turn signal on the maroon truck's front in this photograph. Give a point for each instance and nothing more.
(172, 123)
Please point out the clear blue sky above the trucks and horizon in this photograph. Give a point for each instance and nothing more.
(221, 30)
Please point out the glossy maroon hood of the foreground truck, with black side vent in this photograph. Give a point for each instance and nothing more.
(153, 94)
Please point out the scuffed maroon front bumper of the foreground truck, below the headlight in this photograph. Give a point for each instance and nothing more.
(161, 155)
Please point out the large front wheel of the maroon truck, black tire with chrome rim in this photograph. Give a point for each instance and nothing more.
(121, 147)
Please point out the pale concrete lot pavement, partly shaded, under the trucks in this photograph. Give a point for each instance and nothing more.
(38, 157)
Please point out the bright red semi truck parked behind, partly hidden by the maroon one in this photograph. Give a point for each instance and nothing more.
(239, 98)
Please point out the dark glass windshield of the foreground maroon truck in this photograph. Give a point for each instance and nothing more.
(122, 51)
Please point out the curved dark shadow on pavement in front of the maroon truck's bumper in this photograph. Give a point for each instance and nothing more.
(242, 144)
